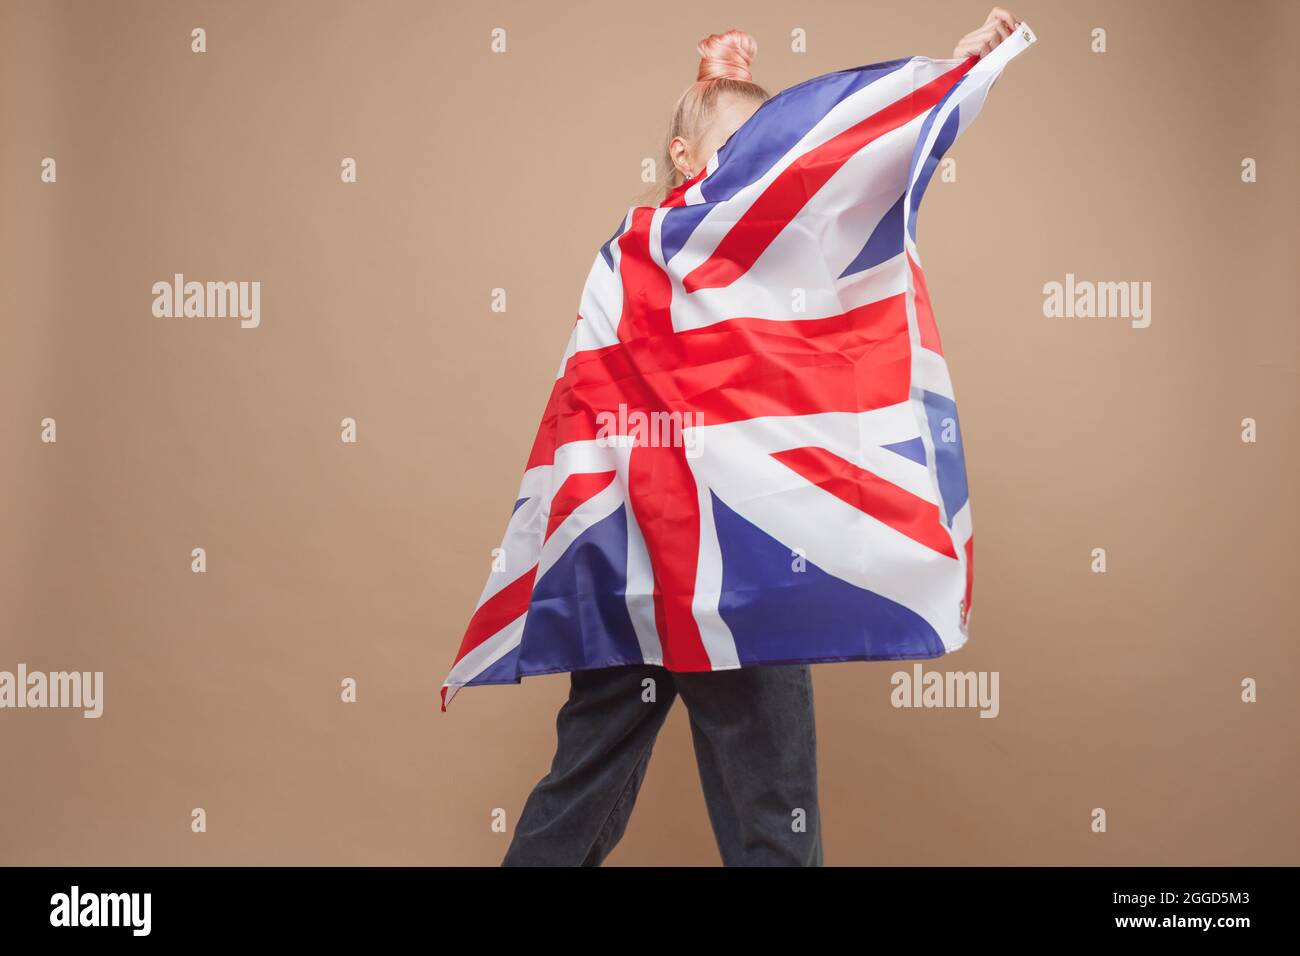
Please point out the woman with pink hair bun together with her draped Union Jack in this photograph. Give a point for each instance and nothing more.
(608, 573)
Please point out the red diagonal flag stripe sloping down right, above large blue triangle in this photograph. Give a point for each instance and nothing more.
(873, 495)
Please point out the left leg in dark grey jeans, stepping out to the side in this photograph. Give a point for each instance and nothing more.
(605, 733)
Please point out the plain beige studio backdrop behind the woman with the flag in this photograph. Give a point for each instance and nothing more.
(476, 171)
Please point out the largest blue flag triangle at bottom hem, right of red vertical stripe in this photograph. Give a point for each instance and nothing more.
(777, 613)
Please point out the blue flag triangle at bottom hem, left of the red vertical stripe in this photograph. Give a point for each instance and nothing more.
(579, 616)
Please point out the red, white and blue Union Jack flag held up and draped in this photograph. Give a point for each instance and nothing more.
(752, 453)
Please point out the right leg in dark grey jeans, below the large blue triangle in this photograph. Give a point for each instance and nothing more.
(756, 745)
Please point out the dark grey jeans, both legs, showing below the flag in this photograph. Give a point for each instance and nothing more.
(756, 746)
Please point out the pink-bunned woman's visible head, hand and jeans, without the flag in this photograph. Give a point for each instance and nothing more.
(753, 728)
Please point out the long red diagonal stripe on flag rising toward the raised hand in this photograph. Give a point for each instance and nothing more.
(799, 183)
